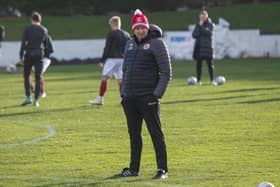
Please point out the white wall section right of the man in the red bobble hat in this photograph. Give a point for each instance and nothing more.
(227, 43)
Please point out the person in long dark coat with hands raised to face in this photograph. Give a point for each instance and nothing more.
(203, 49)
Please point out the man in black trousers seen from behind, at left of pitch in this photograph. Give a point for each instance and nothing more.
(34, 47)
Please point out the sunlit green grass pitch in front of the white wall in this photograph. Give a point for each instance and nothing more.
(224, 136)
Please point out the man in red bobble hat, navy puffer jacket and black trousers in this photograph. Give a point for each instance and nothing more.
(146, 73)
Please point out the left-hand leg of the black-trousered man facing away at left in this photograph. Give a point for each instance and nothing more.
(27, 66)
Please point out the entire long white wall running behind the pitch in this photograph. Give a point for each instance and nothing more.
(227, 43)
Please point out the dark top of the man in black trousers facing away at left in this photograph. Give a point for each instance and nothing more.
(35, 42)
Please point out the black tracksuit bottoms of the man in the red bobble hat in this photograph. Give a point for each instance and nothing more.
(136, 110)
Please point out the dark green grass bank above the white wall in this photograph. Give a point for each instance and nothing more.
(249, 16)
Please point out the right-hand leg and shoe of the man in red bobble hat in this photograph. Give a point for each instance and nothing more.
(150, 108)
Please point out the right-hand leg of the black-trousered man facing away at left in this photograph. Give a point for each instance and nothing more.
(38, 72)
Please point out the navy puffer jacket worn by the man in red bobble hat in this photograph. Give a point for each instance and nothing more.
(147, 67)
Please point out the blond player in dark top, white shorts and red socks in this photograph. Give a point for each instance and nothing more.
(112, 59)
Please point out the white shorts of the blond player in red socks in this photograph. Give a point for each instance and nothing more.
(113, 68)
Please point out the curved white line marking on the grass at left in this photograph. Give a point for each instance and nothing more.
(51, 132)
